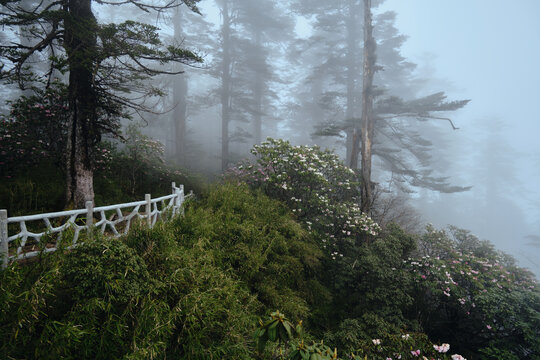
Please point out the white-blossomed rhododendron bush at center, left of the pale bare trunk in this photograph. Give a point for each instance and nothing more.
(322, 192)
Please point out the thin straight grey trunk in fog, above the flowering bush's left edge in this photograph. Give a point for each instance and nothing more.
(225, 86)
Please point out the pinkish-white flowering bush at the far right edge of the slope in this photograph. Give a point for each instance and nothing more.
(476, 297)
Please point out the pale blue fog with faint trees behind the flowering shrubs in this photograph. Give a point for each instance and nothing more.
(455, 85)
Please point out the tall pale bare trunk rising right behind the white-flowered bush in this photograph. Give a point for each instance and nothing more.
(367, 112)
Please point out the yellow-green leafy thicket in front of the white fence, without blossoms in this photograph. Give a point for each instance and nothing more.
(190, 289)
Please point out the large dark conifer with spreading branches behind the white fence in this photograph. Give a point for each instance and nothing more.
(104, 65)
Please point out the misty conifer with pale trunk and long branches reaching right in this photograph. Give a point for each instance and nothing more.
(361, 90)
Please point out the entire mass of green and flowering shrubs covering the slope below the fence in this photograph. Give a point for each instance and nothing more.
(280, 233)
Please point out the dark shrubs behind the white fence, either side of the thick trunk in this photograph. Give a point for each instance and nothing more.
(32, 157)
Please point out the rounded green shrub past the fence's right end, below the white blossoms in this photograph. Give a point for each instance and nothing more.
(256, 238)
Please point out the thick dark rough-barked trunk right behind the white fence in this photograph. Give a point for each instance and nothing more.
(80, 43)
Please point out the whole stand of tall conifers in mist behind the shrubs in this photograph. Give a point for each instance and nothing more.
(209, 79)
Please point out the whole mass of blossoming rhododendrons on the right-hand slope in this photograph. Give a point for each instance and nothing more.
(453, 288)
